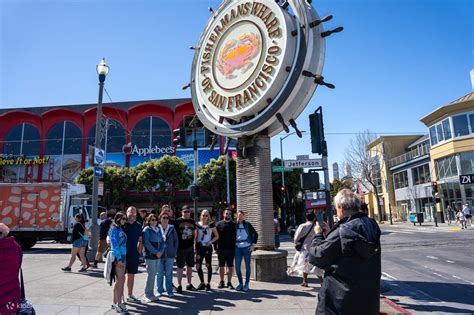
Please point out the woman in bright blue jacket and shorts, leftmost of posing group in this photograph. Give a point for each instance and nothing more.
(118, 246)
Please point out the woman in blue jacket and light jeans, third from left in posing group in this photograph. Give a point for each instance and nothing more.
(154, 245)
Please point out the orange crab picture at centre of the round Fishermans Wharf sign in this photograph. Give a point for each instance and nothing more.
(237, 54)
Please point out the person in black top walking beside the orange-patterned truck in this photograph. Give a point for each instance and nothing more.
(80, 238)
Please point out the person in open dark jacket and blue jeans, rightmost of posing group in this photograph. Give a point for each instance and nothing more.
(246, 238)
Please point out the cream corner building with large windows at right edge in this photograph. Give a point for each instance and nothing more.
(451, 131)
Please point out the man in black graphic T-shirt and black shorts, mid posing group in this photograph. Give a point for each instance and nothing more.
(186, 229)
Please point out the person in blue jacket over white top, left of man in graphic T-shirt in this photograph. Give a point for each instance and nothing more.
(166, 261)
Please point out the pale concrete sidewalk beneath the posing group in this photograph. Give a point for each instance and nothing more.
(54, 292)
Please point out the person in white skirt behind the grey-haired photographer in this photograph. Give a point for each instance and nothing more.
(303, 237)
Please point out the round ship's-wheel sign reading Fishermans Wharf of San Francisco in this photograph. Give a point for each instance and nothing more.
(256, 66)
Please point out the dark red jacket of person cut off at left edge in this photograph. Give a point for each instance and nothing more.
(10, 262)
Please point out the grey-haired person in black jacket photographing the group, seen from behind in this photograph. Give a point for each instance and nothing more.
(351, 258)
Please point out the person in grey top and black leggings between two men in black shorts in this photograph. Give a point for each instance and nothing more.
(206, 235)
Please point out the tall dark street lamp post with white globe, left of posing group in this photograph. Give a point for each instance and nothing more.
(102, 71)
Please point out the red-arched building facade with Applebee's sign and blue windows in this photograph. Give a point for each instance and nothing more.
(50, 144)
